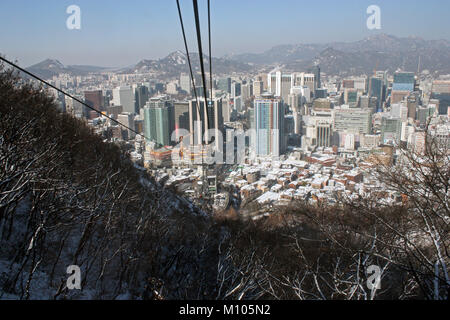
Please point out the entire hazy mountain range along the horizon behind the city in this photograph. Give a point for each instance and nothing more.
(381, 51)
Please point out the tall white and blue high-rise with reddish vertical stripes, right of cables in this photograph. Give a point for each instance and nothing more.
(268, 123)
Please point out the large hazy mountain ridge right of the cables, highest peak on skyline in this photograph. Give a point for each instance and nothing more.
(386, 51)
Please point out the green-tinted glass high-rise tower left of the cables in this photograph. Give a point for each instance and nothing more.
(159, 121)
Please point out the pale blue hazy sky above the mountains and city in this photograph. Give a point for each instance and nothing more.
(121, 32)
